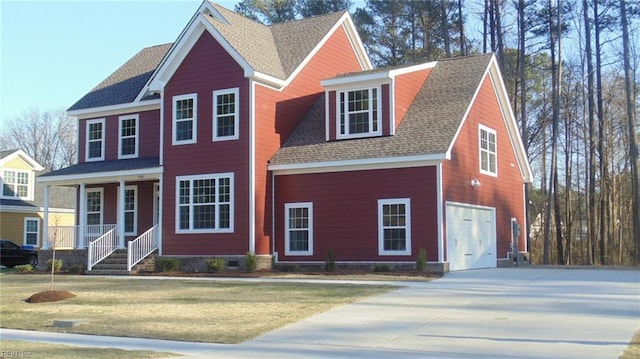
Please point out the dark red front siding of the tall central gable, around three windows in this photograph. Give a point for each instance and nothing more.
(207, 67)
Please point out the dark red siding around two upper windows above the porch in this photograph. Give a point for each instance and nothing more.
(149, 135)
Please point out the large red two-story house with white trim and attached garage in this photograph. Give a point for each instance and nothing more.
(283, 141)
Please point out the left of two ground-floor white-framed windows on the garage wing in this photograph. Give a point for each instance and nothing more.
(298, 228)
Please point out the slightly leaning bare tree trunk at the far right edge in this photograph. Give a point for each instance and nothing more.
(631, 128)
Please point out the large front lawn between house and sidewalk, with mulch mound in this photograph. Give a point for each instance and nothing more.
(173, 309)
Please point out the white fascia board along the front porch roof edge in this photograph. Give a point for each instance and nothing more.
(143, 174)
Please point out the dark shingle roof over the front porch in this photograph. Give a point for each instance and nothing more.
(105, 166)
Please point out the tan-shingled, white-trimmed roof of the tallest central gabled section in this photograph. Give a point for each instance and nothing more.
(272, 54)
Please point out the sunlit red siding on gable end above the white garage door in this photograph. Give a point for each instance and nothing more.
(504, 192)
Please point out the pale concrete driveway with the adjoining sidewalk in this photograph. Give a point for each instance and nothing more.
(493, 313)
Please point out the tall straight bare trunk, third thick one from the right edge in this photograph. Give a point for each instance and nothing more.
(591, 199)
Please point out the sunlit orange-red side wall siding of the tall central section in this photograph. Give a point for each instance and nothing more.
(277, 114)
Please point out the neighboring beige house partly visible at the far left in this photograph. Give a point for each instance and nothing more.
(22, 200)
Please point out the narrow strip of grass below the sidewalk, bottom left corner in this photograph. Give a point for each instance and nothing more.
(33, 350)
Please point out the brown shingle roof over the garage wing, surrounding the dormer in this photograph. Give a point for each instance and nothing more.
(428, 127)
